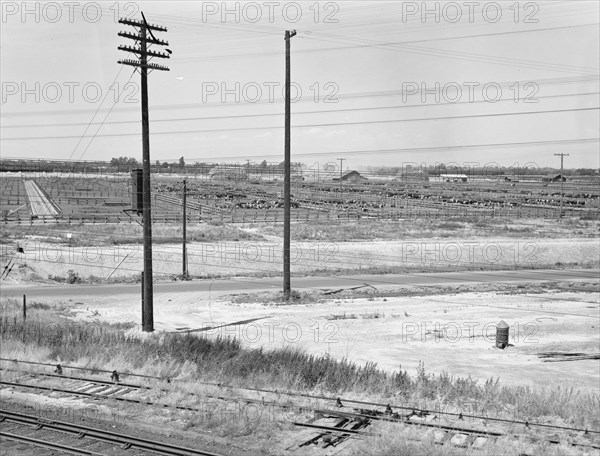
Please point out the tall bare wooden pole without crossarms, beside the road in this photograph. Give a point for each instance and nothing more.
(287, 286)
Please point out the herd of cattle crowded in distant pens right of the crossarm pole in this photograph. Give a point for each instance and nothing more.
(366, 198)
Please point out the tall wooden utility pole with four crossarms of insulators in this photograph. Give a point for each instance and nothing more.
(141, 49)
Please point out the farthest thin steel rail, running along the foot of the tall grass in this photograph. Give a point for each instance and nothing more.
(334, 399)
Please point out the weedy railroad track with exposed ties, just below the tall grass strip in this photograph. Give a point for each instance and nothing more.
(337, 420)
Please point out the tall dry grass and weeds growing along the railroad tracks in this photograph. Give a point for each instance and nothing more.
(49, 336)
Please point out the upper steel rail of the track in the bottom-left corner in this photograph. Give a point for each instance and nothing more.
(103, 435)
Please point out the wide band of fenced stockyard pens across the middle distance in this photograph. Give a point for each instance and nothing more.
(108, 199)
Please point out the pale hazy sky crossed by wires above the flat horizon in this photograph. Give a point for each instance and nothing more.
(358, 69)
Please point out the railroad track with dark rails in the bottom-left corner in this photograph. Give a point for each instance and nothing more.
(75, 439)
